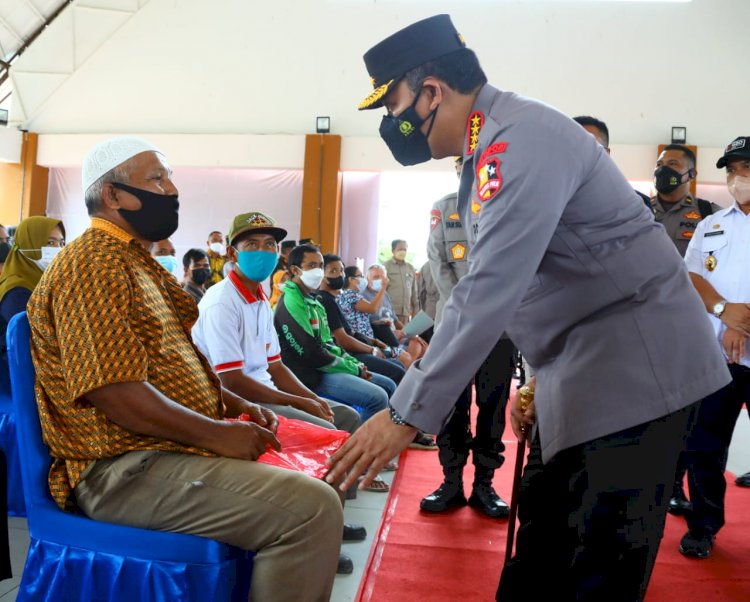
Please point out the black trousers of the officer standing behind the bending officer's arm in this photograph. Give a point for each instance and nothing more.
(492, 384)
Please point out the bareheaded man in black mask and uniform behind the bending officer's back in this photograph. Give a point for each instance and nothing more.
(673, 206)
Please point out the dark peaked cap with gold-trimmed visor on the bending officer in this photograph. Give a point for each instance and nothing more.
(420, 42)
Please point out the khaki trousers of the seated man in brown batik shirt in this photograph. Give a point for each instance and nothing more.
(292, 521)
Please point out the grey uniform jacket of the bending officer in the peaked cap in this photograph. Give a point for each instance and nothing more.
(568, 261)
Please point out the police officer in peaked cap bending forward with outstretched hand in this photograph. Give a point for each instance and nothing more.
(568, 261)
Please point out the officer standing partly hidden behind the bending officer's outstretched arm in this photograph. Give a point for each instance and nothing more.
(447, 250)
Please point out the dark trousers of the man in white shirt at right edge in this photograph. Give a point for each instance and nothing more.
(708, 447)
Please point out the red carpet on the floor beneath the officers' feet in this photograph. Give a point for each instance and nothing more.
(458, 555)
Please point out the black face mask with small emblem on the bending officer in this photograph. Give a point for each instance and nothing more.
(404, 138)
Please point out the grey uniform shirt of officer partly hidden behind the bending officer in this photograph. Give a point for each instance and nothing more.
(447, 248)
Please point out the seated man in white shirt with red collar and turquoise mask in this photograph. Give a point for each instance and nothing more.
(235, 331)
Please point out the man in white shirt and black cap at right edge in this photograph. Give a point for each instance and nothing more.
(717, 259)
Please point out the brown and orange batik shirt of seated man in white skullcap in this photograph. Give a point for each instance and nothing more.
(105, 312)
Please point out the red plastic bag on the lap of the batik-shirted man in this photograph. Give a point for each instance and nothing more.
(304, 446)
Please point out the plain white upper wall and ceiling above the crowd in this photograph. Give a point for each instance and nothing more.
(260, 67)
